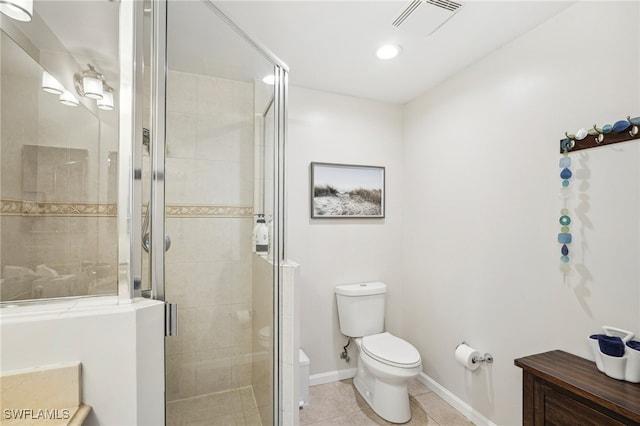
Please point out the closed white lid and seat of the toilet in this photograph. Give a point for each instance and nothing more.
(391, 350)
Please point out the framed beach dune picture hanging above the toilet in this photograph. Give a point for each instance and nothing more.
(346, 191)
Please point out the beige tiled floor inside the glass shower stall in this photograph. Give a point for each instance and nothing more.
(232, 408)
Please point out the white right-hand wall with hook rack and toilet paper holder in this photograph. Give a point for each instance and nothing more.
(481, 221)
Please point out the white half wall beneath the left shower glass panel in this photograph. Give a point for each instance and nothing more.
(121, 348)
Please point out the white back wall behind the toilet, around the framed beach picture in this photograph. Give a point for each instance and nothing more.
(324, 127)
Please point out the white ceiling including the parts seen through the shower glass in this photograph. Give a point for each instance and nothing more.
(329, 45)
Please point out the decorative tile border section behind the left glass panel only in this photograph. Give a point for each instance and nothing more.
(63, 209)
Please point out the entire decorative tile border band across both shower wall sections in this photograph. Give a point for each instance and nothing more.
(33, 208)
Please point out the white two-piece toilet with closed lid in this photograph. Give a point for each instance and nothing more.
(385, 363)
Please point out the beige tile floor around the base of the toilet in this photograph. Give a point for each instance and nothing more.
(338, 403)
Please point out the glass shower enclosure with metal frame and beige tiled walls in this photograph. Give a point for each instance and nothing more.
(158, 197)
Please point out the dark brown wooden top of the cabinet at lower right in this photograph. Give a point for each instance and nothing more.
(580, 377)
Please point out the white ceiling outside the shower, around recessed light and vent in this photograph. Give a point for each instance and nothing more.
(330, 45)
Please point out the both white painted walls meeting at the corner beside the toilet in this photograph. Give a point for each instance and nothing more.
(473, 172)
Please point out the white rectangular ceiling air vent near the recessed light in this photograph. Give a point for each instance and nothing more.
(424, 17)
